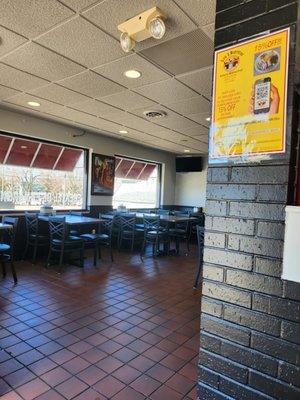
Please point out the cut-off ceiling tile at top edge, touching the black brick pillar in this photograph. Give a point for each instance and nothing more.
(202, 12)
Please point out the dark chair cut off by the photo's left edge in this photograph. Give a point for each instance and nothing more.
(7, 249)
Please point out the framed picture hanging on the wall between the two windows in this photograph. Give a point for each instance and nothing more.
(103, 175)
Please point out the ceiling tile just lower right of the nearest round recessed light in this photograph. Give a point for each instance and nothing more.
(166, 91)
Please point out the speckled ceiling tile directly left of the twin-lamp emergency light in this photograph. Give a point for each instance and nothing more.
(83, 43)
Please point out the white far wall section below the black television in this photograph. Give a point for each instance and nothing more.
(190, 189)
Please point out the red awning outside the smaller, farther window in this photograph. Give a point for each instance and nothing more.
(132, 169)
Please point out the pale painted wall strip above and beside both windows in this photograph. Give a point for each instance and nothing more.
(43, 129)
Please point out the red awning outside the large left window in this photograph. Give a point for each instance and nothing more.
(31, 153)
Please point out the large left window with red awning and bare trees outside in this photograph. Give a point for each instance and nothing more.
(33, 173)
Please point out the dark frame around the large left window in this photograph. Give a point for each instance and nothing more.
(86, 152)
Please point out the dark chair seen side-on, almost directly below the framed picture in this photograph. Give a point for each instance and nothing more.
(102, 237)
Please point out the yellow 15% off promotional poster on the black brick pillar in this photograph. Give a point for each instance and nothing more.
(249, 100)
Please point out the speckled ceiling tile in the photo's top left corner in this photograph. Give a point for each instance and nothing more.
(32, 17)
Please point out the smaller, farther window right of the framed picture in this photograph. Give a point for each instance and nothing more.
(137, 183)
